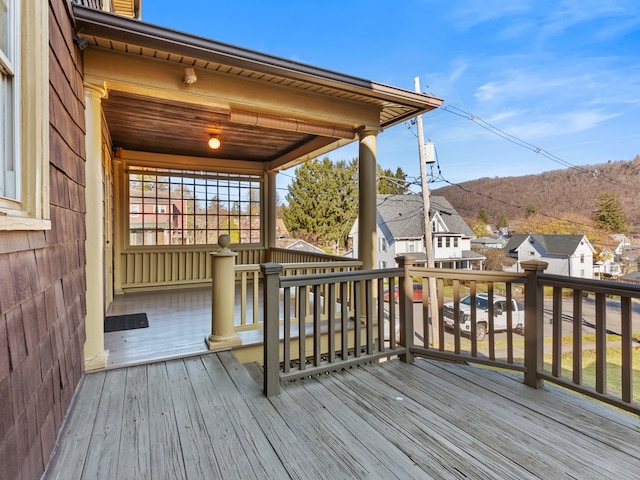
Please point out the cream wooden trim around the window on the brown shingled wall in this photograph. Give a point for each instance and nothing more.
(30, 209)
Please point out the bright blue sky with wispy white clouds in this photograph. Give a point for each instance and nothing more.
(560, 75)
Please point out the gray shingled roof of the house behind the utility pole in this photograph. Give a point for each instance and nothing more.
(403, 215)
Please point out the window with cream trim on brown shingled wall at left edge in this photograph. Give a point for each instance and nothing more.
(24, 115)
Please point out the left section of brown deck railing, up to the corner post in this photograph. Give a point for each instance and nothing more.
(346, 307)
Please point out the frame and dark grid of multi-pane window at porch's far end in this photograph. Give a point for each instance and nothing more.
(194, 226)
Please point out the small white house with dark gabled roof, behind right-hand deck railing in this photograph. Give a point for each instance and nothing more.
(570, 255)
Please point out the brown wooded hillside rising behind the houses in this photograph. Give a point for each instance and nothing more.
(556, 192)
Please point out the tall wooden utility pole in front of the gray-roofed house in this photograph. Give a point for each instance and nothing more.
(428, 239)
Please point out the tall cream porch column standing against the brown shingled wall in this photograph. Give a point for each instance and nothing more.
(95, 356)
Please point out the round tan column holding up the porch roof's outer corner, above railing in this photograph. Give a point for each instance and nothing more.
(367, 243)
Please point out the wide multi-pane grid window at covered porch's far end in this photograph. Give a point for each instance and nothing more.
(182, 207)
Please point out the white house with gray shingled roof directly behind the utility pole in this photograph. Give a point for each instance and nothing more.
(400, 229)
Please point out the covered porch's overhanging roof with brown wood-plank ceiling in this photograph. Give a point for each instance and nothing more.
(139, 120)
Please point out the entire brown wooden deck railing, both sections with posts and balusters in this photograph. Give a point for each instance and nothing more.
(538, 355)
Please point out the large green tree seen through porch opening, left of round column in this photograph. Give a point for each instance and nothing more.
(323, 200)
